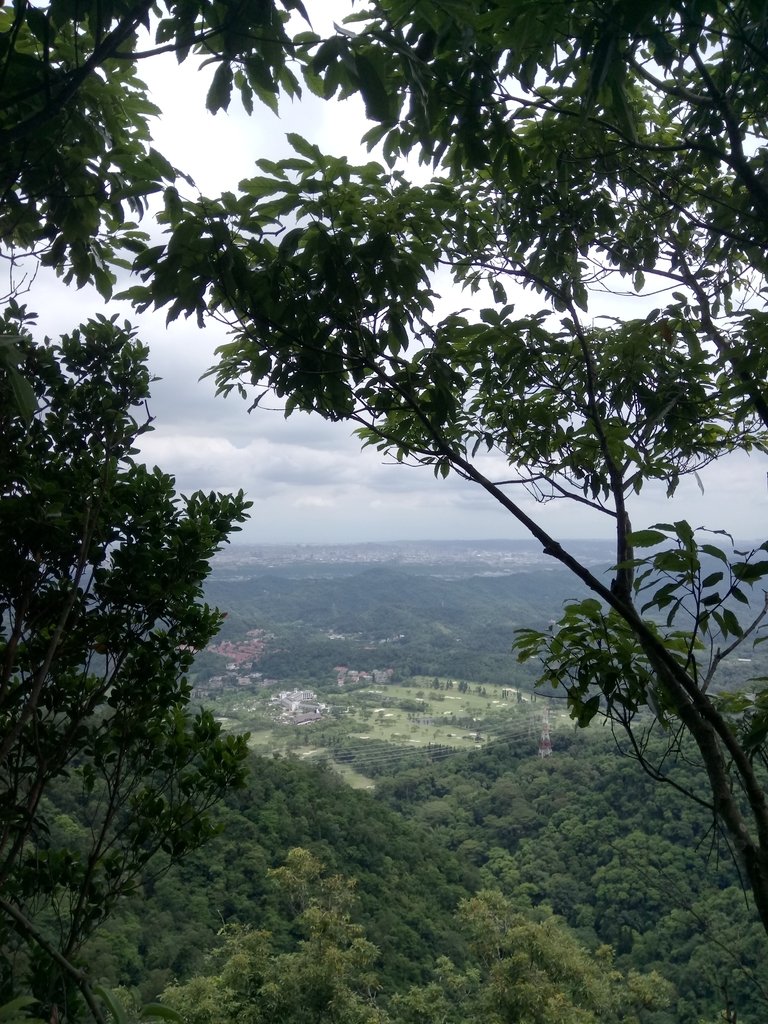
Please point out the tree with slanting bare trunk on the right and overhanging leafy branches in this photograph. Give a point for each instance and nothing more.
(574, 151)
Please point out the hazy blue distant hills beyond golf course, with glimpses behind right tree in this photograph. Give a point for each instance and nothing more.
(421, 616)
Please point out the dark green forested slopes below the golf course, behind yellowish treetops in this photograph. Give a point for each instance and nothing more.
(582, 835)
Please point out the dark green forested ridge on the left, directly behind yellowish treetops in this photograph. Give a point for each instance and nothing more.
(407, 885)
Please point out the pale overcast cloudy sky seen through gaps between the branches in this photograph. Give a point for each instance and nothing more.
(308, 479)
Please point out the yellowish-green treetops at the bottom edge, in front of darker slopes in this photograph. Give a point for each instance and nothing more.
(527, 971)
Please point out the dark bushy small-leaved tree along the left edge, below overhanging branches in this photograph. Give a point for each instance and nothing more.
(104, 766)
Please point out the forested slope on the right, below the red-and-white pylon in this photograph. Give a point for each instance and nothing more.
(585, 836)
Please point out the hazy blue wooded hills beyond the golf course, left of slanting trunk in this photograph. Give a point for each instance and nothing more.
(418, 623)
